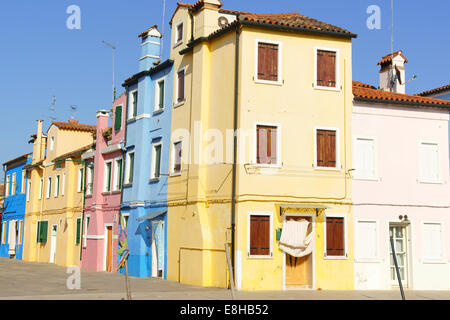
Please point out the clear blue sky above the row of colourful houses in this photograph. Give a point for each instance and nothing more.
(40, 57)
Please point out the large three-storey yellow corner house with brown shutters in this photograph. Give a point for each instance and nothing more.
(284, 81)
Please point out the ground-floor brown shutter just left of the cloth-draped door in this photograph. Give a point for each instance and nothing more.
(259, 235)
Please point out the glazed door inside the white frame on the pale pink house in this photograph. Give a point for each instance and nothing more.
(399, 233)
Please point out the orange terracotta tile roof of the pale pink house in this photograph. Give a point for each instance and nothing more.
(367, 92)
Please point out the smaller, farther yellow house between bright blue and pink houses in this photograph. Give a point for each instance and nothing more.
(53, 218)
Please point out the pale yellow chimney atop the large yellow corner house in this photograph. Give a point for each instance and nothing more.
(206, 17)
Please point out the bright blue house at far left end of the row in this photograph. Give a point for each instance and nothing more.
(16, 195)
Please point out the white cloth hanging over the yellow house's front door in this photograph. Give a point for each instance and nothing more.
(294, 238)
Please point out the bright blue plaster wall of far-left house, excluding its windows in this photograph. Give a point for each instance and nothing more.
(14, 208)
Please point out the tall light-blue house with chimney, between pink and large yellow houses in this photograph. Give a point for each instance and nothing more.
(144, 199)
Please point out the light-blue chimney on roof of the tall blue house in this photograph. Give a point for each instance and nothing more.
(151, 48)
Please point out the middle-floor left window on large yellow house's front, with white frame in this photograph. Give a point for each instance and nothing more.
(267, 150)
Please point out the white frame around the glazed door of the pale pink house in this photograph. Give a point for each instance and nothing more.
(408, 260)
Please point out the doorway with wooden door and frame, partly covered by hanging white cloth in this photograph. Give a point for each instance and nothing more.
(299, 272)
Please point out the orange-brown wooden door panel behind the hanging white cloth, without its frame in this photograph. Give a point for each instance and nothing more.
(298, 270)
